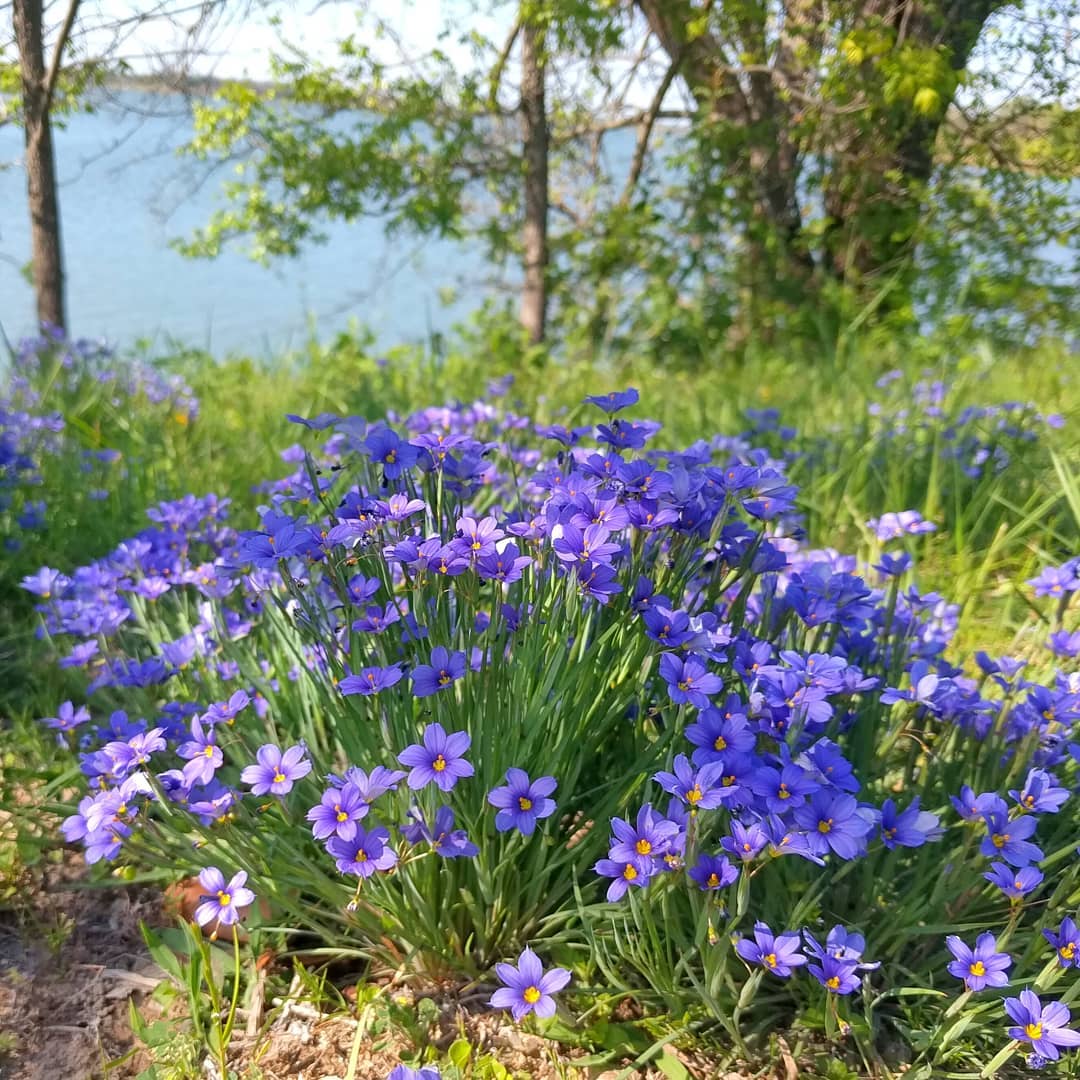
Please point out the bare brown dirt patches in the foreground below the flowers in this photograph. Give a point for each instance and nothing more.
(73, 958)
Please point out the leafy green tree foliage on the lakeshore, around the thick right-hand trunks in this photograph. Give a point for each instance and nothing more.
(826, 157)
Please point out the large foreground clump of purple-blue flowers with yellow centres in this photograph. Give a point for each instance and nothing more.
(490, 604)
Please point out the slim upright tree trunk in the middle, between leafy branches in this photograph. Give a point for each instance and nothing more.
(535, 236)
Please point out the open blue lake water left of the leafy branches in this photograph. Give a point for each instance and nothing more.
(125, 196)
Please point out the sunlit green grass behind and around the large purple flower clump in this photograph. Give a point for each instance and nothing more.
(982, 445)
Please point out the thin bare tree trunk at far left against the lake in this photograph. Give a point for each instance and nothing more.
(48, 265)
